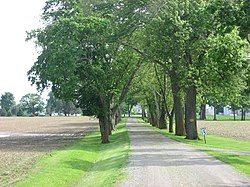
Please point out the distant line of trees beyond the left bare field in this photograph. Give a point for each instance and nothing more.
(33, 105)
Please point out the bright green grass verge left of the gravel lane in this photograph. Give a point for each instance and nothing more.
(86, 162)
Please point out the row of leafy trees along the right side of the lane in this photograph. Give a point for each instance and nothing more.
(199, 51)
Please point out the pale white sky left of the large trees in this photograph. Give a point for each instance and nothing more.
(16, 55)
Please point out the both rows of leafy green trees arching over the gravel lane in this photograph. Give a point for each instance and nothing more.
(171, 53)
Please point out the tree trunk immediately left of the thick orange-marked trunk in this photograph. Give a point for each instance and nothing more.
(178, 107)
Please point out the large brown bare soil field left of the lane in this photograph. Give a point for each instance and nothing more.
(25, 139)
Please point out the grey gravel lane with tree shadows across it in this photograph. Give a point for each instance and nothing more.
(157, 161)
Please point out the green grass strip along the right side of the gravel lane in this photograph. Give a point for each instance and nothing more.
(240, 162)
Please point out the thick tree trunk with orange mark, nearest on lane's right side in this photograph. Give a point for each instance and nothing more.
(190, 117)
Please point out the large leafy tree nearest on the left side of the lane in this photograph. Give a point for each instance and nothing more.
(82, 60)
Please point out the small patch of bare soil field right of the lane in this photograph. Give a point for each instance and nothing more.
(234, 129)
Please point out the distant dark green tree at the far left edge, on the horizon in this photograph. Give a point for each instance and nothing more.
(7, 103)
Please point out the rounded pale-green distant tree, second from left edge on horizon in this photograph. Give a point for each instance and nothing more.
(32, 104)
